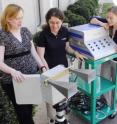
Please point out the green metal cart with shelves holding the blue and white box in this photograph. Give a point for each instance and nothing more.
(95, 89)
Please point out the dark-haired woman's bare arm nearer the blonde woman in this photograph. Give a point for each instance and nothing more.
(41, 52)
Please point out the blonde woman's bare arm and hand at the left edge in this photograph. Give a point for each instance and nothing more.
(17, 75)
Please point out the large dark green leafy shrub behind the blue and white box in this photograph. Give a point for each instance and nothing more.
(80, 12)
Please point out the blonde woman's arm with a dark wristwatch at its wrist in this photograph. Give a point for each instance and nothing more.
(37, 57)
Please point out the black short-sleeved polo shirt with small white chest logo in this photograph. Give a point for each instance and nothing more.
(55, 52)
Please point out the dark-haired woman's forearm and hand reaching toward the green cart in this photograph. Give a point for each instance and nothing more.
(71, 51)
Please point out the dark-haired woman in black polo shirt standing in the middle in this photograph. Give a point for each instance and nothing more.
(53, 43)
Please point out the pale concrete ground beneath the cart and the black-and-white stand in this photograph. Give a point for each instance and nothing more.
(41, 117)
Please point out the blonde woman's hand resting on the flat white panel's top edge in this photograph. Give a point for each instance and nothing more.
(17, 75)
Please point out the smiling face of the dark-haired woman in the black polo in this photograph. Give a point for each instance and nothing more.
(55, 24)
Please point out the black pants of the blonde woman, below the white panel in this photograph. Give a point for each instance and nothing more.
(24, 112)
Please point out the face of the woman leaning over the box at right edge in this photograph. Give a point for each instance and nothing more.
(111, 18)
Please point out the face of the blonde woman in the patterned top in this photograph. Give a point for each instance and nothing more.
(16, 23)
